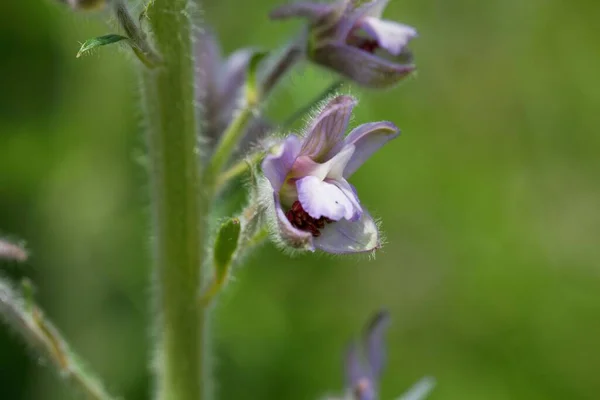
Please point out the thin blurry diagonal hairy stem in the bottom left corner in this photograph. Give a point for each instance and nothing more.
(29, 321)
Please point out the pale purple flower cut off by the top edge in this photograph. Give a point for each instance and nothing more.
(355, 41)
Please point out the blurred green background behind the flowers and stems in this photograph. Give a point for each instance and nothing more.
(490, 201)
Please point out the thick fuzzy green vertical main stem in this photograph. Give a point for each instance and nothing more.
(178, 211)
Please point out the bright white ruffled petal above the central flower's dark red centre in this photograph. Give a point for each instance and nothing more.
(325, 199)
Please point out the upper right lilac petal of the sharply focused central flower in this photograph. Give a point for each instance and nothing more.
(367, 139)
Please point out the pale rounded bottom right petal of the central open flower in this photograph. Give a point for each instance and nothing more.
(345, 236)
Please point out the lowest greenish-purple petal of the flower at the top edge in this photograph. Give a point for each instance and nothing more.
(360, 66)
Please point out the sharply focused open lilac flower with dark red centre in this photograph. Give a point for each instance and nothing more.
(313, 204)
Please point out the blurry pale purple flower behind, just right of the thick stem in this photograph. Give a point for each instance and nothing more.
(219, 85)
